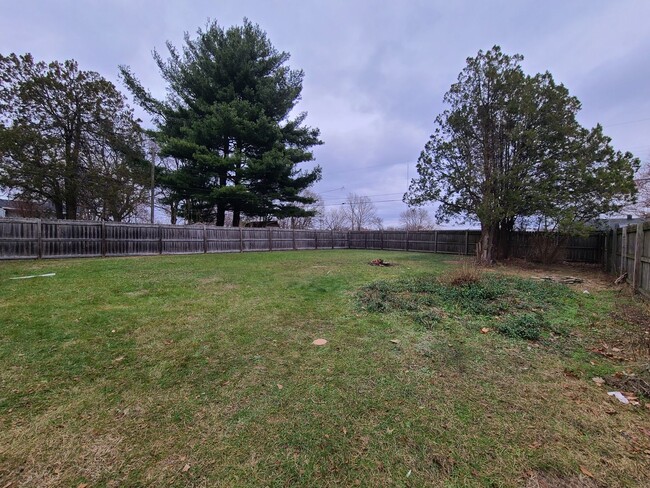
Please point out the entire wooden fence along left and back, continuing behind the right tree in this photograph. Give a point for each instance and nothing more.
(32, 238)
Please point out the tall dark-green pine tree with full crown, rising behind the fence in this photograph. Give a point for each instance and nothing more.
(227, 120)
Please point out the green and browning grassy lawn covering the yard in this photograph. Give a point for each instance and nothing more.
(200, 371)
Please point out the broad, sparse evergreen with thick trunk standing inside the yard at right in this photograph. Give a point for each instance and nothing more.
(509, 147)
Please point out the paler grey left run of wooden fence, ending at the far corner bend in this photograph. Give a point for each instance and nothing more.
(28, 238)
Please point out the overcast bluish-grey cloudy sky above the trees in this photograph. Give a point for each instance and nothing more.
(375, 71)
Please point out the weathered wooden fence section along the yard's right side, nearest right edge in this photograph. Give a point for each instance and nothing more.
(627, 250)
